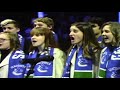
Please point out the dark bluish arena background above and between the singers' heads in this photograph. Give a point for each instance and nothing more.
(62, 21)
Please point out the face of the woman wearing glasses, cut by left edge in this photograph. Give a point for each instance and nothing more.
(4, 42)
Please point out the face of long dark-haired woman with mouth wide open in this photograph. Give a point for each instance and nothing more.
(76, 35)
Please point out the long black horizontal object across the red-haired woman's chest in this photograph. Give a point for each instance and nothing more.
(36, 60)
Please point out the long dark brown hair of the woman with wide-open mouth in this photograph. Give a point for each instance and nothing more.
(89, 40)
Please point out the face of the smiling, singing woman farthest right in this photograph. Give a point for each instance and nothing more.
(107, 34)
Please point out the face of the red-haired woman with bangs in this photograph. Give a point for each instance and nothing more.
(38, 40)
